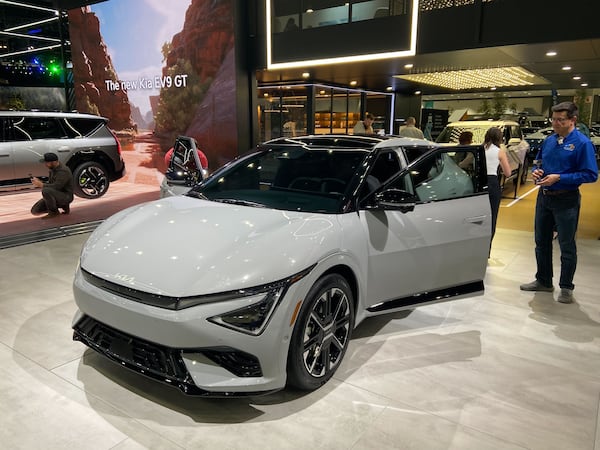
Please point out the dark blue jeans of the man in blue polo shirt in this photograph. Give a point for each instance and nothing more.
(560, 211)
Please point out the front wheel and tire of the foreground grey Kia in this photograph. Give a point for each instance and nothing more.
(322, 333)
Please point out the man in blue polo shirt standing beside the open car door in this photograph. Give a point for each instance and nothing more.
(568, 160)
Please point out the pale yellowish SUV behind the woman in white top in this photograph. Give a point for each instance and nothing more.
(514, 143)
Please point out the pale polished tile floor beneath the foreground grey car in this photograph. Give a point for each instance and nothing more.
(506, 370)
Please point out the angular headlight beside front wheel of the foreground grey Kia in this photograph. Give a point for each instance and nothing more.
(254, 318)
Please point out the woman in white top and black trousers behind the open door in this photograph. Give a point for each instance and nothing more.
(494, 157)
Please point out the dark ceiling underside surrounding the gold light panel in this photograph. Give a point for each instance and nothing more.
(583, 56)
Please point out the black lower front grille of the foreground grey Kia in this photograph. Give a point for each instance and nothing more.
(161, 363)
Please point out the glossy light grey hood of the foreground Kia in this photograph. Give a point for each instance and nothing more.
(181, 246)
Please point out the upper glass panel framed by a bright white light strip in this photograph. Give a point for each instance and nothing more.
(314, 30)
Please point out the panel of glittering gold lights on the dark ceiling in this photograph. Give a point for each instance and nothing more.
(477, 78)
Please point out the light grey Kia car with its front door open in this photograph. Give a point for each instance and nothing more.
(257, 276)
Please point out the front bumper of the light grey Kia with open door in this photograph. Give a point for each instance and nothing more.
(182, 348)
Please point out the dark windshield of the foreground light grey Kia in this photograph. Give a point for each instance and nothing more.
(294, 178)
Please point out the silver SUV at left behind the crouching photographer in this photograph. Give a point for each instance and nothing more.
(83, 142)
